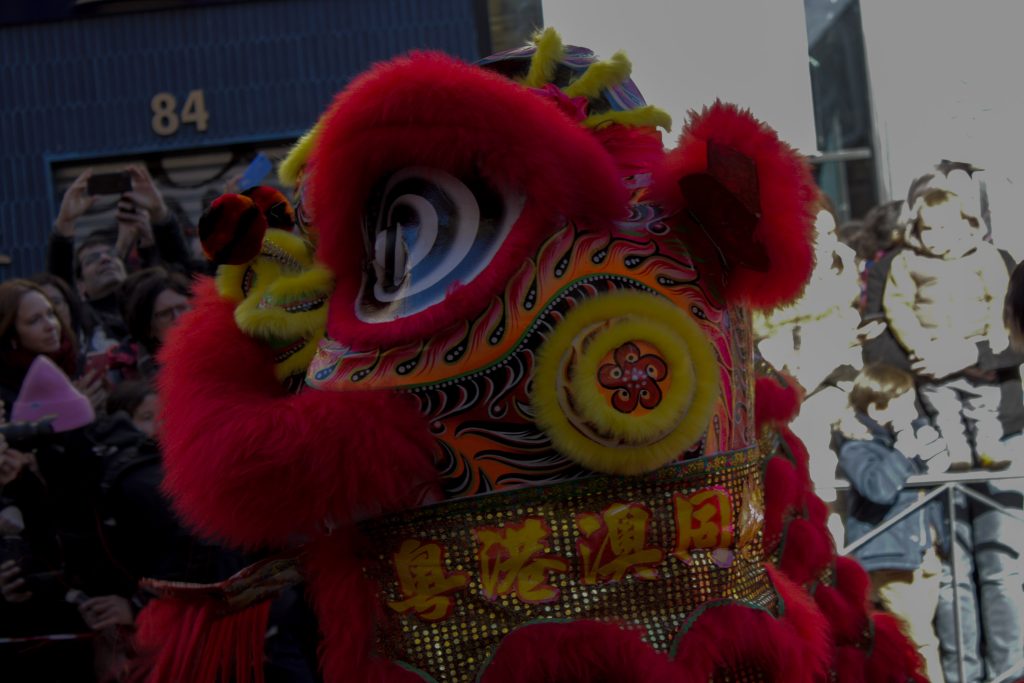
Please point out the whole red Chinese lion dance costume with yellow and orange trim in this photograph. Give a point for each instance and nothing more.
(490, 376)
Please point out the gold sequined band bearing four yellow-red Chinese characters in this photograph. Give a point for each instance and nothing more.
(456, 578)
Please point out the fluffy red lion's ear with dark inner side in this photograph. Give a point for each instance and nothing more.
(753, 196)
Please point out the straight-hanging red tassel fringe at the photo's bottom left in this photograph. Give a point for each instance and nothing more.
(180, 642)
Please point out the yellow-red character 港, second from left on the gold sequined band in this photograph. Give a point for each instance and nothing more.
(514, 561)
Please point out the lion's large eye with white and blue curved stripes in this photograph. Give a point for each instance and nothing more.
(428, 231)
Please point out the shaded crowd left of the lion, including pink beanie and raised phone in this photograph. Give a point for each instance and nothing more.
(82, 519)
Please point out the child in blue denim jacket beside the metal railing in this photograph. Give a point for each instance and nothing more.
(892, 446)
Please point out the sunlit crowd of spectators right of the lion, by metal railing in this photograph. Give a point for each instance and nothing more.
(903, 349)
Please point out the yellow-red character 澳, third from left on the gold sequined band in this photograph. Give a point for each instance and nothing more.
(616, 543)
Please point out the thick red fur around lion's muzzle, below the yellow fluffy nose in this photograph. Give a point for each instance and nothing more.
(247, 462)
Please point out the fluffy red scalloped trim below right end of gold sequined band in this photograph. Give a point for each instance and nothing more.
(794, 649)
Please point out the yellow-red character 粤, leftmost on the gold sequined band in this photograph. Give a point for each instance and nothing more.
(424, 582)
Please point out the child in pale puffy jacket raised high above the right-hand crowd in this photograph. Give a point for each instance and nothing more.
(944, 302)
